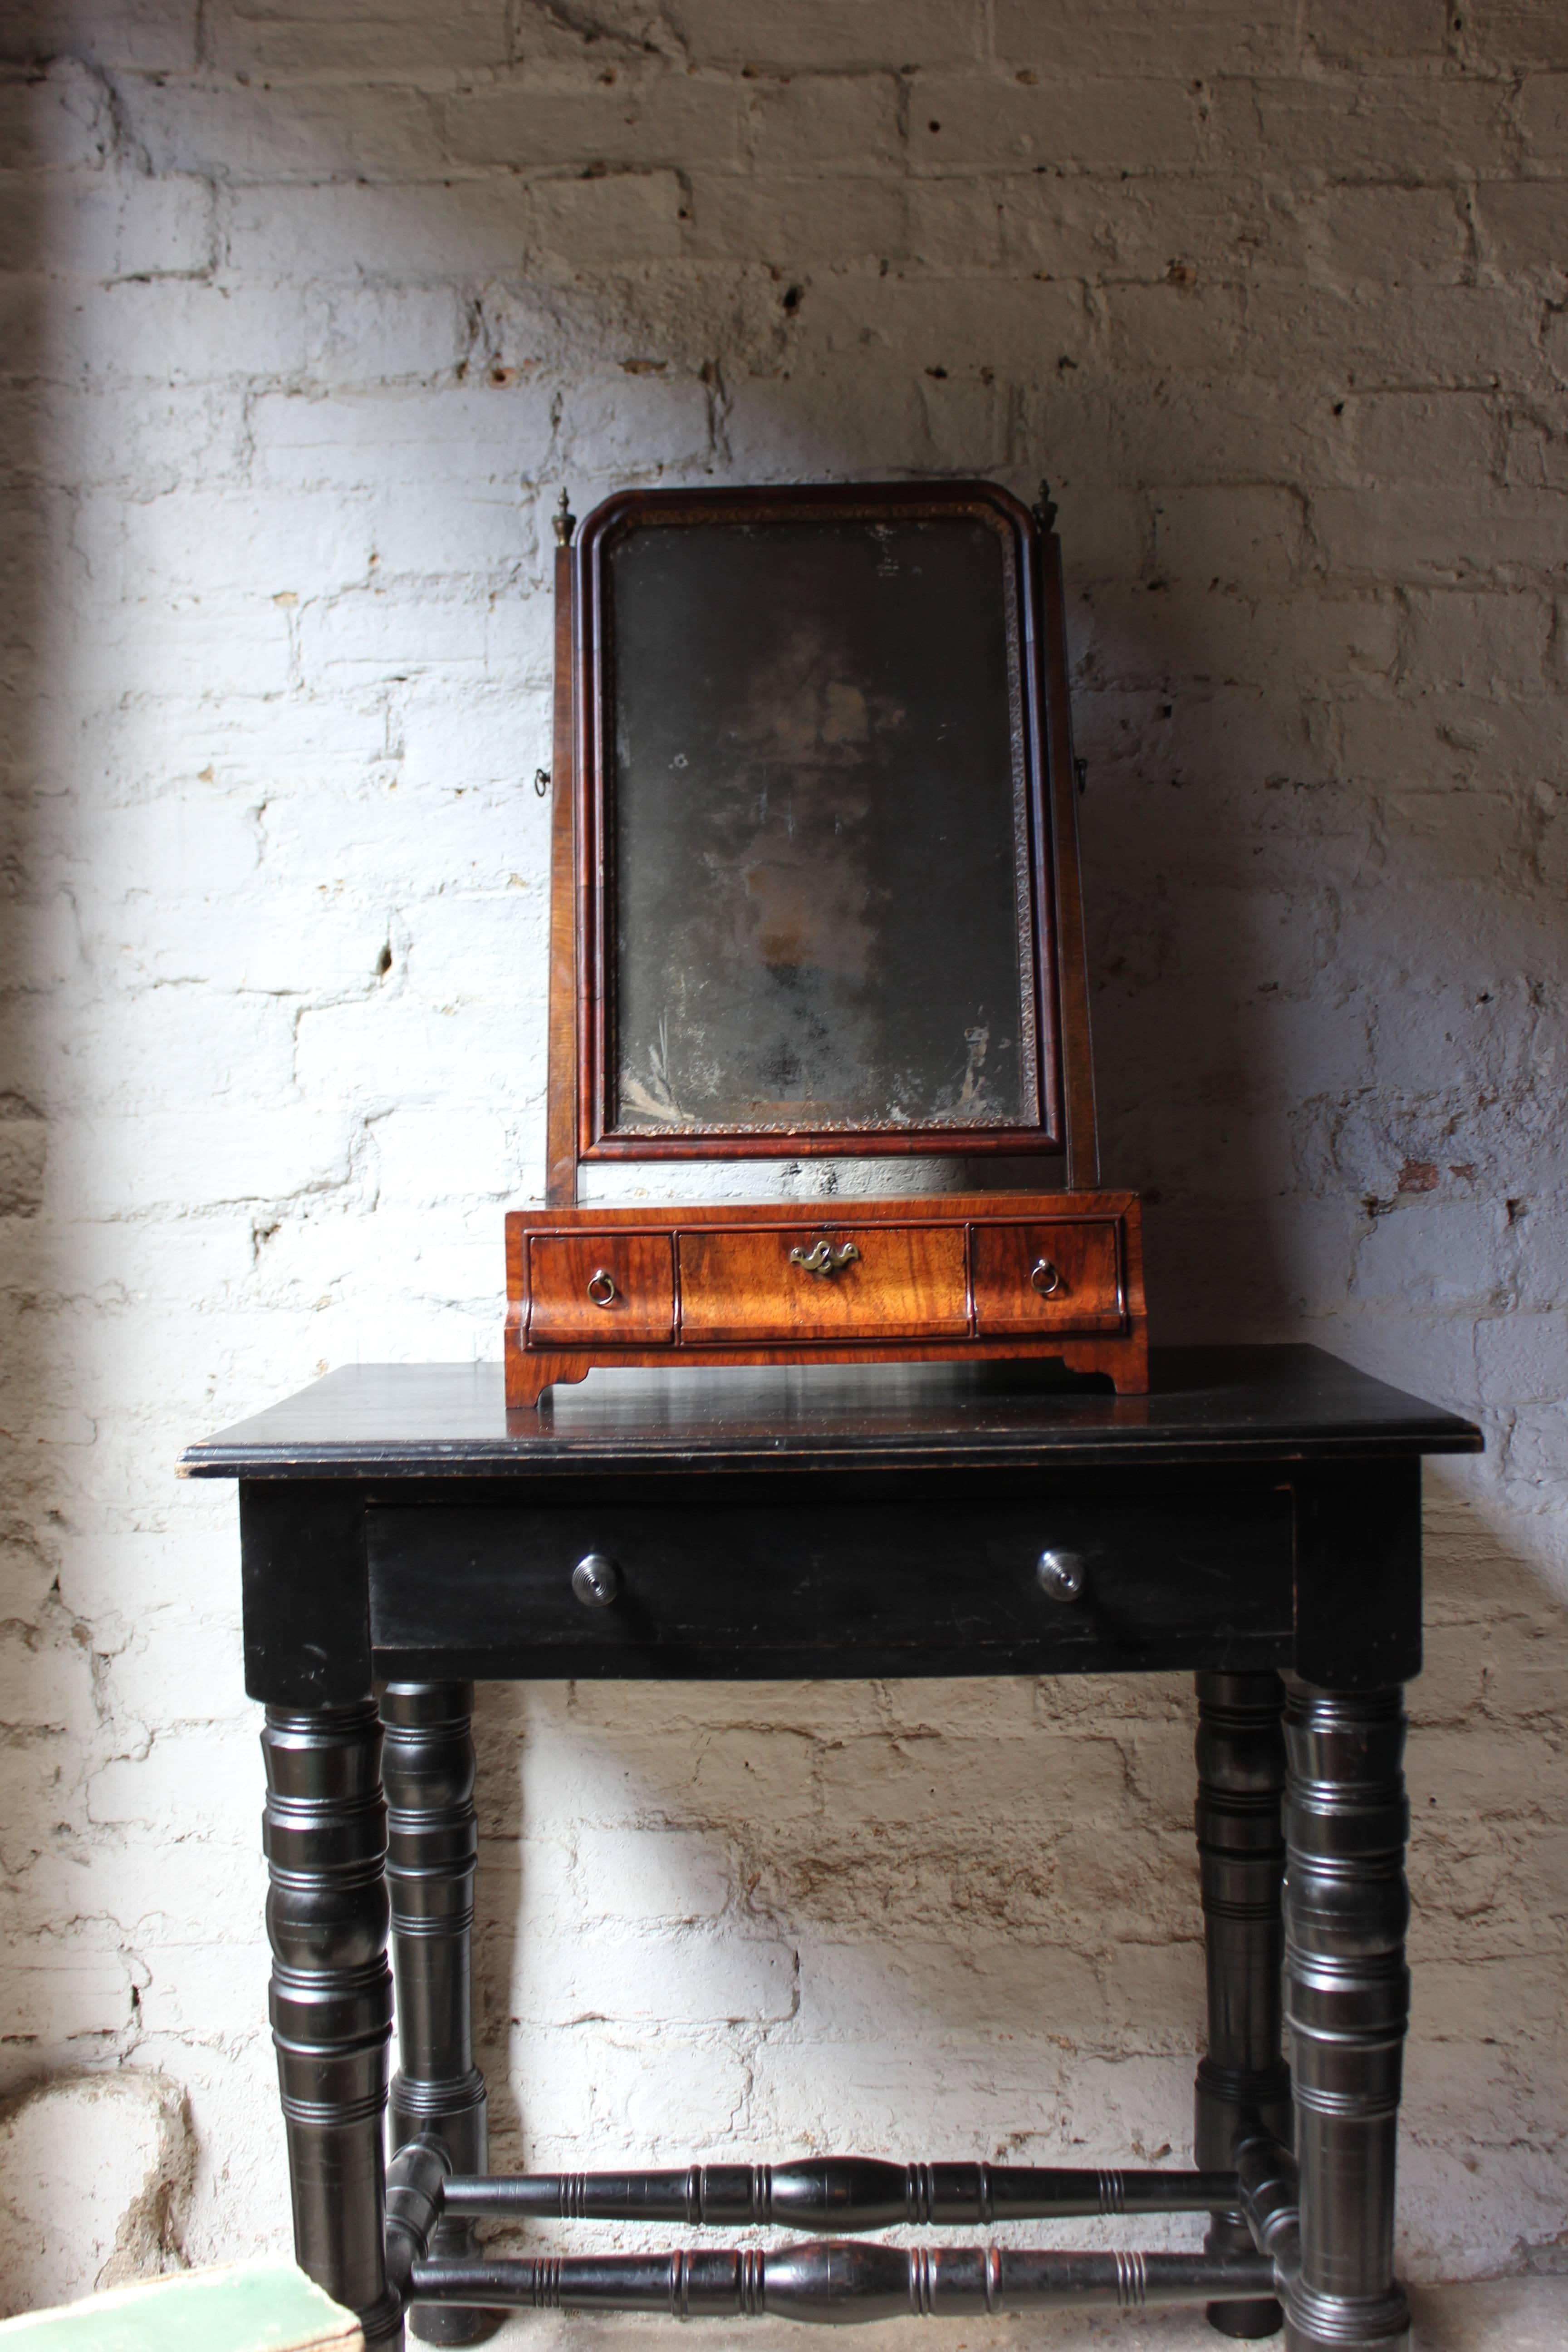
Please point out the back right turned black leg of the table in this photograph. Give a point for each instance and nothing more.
(1242, 1855)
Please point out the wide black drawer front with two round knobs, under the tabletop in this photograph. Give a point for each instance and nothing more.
(833, 1589)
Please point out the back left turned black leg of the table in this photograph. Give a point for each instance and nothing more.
(431, 1866)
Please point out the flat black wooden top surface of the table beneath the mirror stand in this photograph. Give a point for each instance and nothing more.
(1207, 1405)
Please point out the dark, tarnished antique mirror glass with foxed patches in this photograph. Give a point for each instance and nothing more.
(817, 827)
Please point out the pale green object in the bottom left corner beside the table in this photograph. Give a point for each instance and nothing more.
(239, 2308)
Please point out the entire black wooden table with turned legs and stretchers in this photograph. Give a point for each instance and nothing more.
(1254, 1521)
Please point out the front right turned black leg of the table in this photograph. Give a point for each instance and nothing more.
(1346, 2005)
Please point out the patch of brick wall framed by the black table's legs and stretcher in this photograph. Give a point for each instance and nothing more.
(918, 1918)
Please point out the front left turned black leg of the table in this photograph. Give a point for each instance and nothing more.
(333, 1996)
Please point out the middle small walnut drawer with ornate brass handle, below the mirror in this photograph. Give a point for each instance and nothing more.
(822, 1283)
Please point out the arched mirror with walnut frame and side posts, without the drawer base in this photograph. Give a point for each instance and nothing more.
(815, 780)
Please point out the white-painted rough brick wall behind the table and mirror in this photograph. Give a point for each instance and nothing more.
(311, 307)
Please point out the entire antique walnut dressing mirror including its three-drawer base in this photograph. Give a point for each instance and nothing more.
(815, 890)
